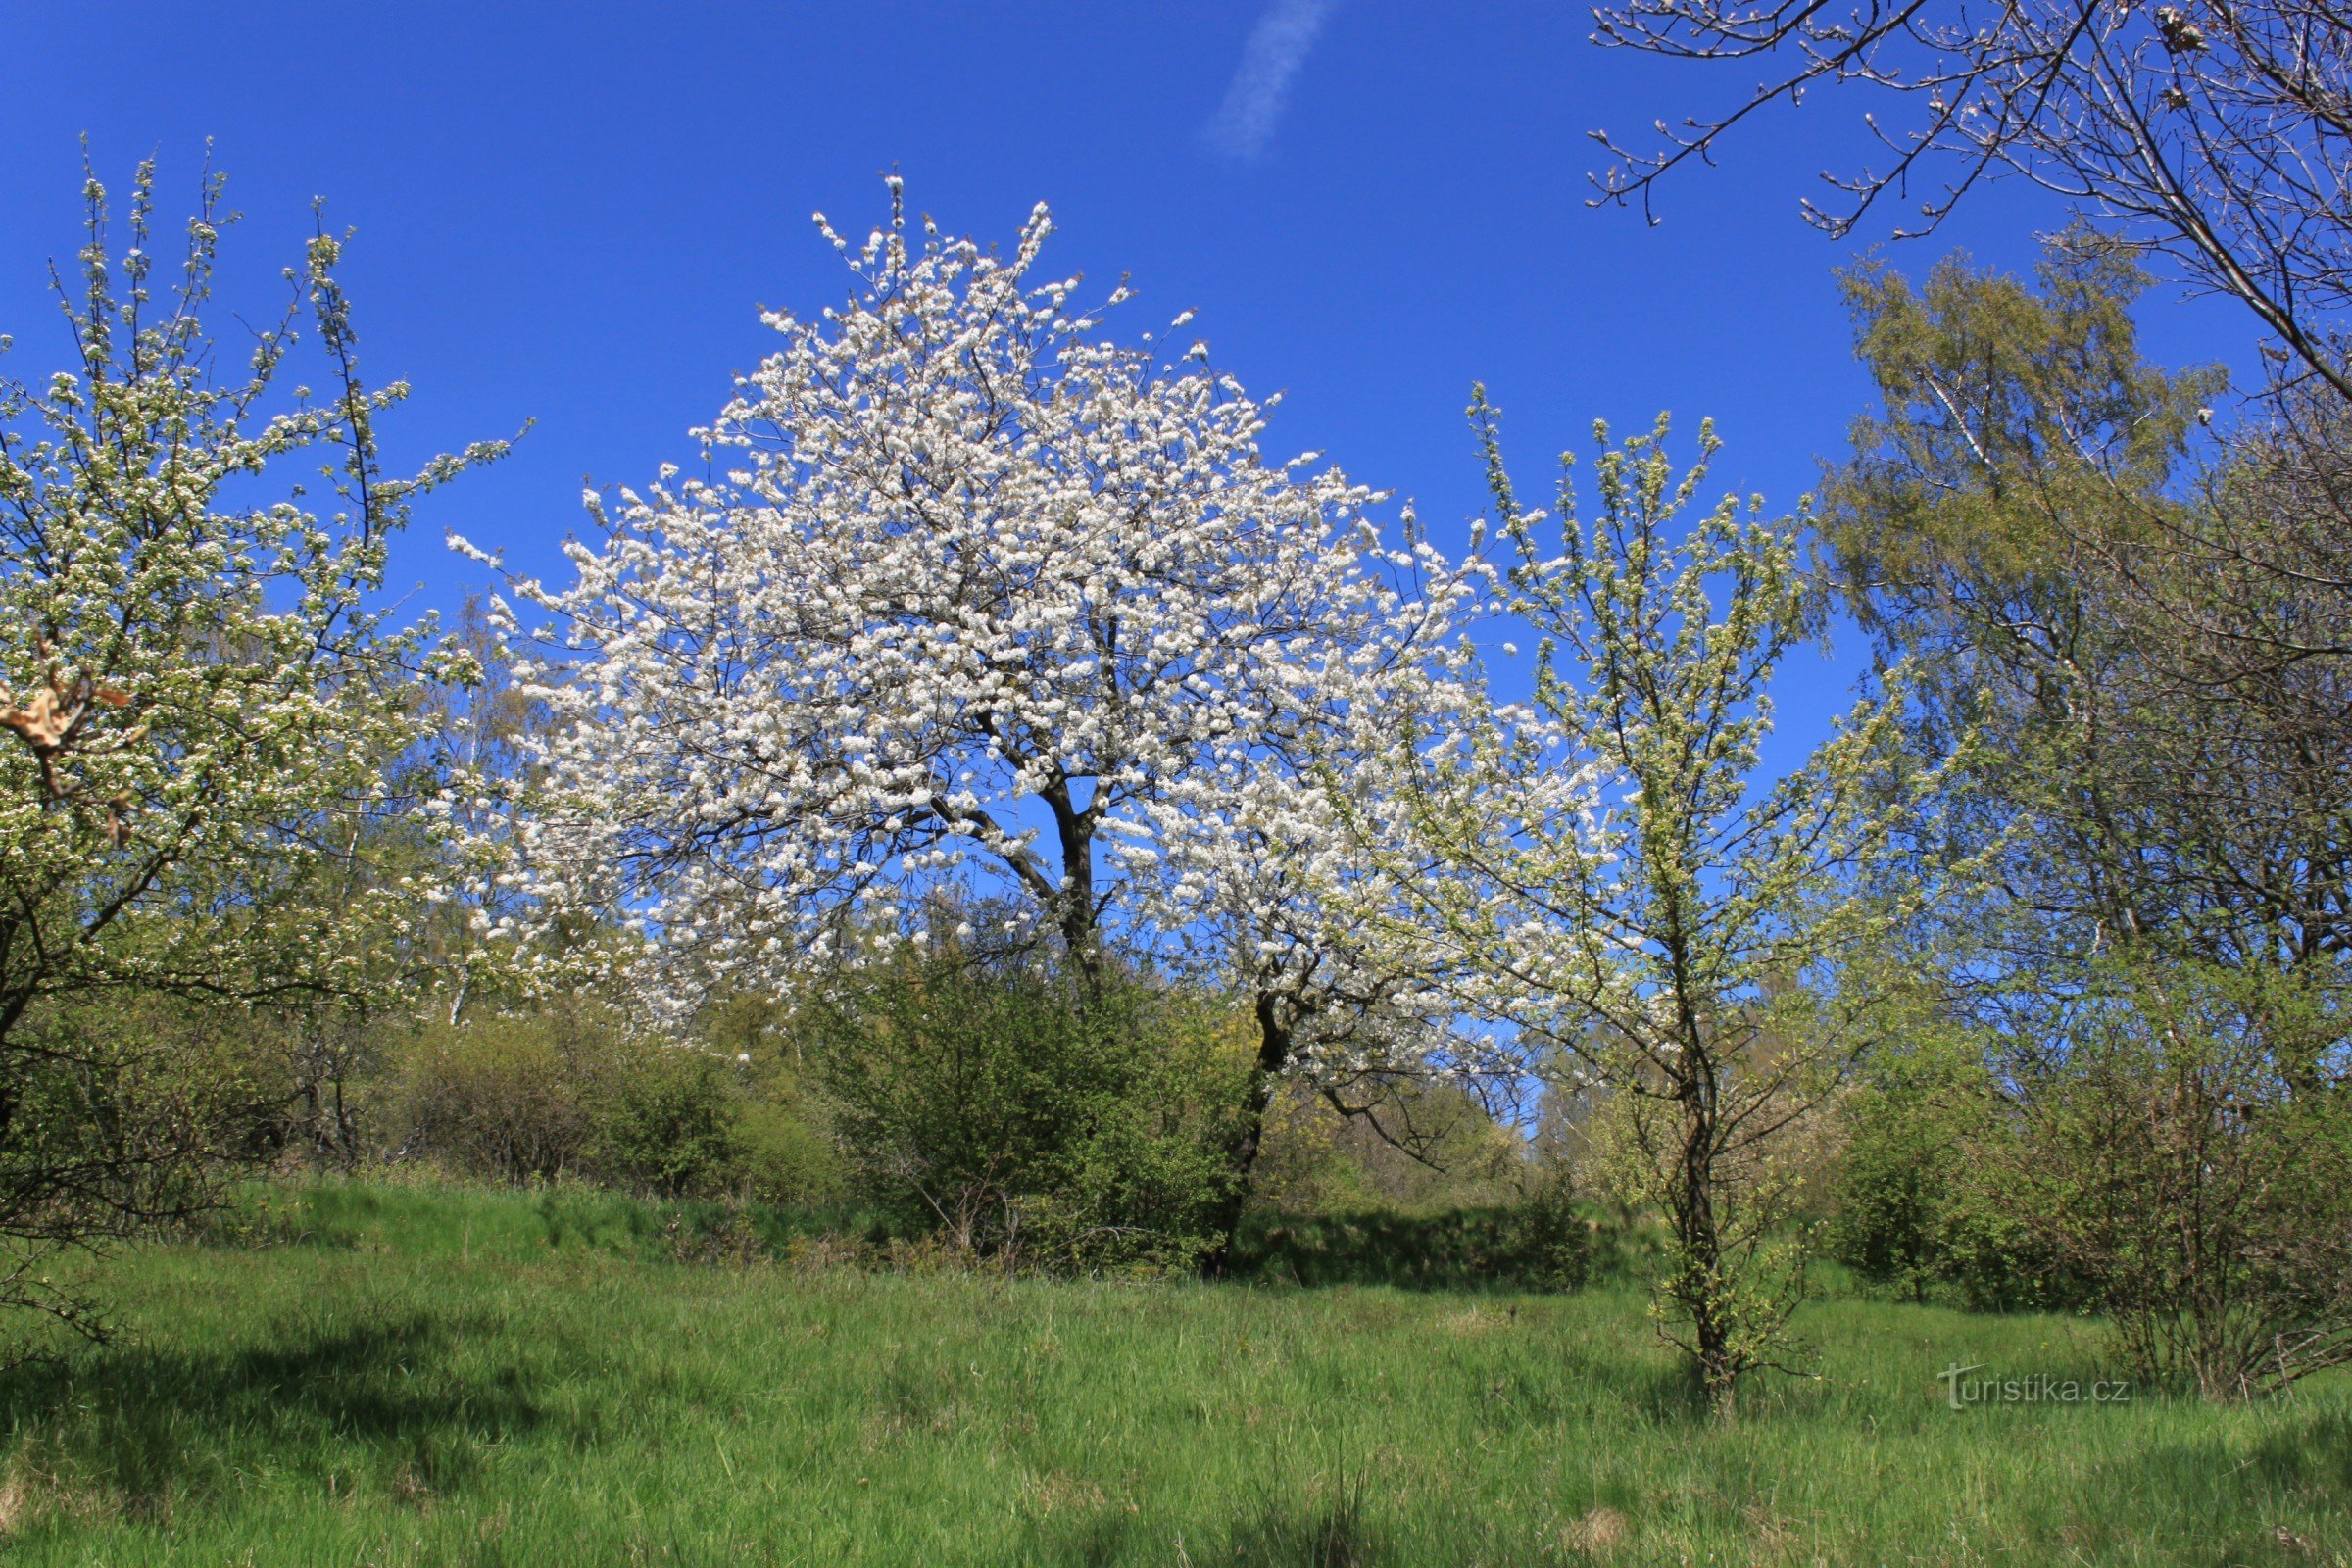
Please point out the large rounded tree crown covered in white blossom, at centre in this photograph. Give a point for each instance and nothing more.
(973, 594)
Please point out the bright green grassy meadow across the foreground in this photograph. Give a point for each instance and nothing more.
(450, 1379)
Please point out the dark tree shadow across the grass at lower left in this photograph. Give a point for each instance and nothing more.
(354, 1405)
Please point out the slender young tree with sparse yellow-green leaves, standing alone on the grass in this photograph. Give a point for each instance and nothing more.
(1610, 876)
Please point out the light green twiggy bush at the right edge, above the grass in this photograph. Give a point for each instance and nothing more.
(2191, 1153)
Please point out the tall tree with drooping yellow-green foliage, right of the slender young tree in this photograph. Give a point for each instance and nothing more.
(2019, 434)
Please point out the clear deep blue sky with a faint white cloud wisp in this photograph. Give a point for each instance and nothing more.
(568, 215)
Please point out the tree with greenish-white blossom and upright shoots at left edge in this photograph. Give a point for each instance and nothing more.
(199, 699)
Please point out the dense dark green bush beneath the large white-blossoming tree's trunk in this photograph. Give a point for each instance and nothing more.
(1036, 1115)
